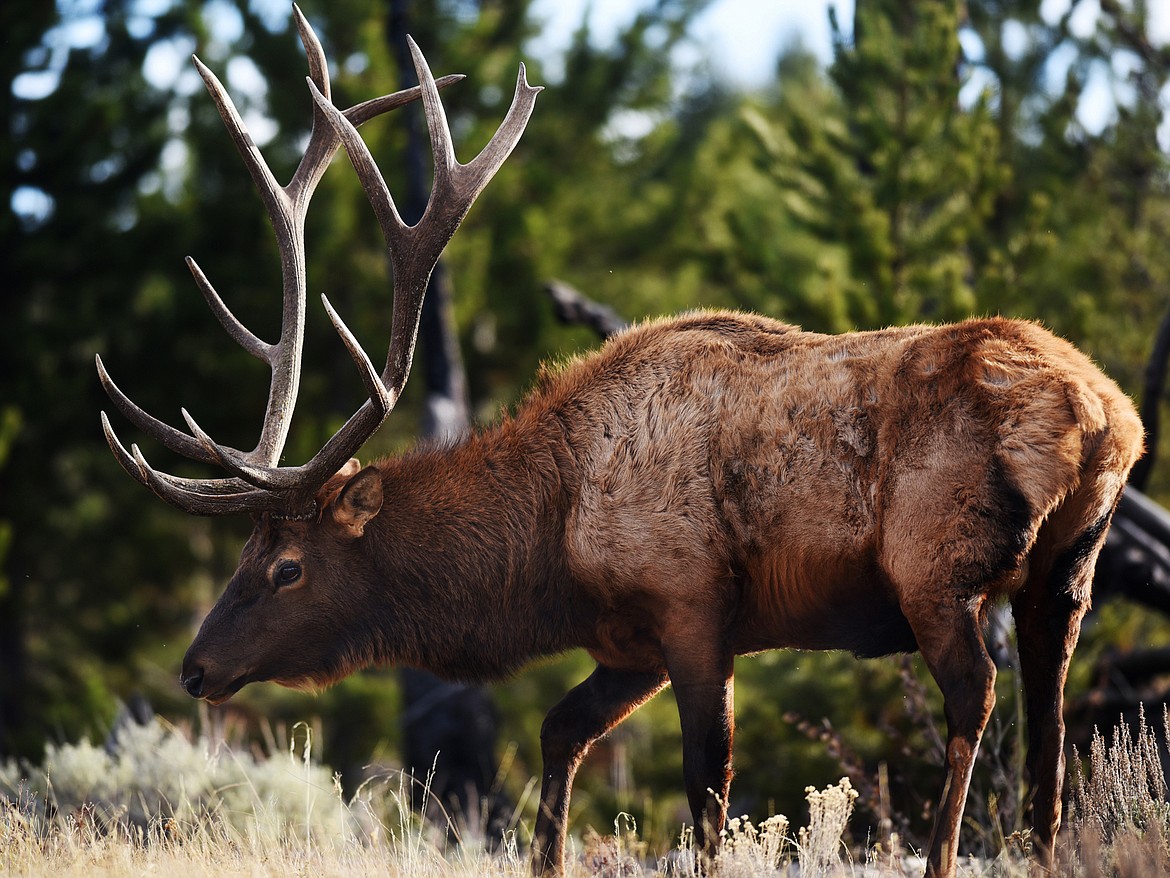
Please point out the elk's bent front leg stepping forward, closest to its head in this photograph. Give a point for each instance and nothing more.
(590, 710)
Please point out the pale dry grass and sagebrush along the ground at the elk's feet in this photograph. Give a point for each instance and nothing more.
(161, 801)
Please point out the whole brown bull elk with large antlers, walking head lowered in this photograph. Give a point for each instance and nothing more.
(703, 488)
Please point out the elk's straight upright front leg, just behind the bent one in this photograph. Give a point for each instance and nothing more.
(704, 689)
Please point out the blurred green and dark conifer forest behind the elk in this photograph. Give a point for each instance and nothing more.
(937, 169)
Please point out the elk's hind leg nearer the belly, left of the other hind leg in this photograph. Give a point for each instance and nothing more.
(952, 642)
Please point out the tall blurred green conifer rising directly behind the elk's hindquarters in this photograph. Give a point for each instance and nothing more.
(921, 179)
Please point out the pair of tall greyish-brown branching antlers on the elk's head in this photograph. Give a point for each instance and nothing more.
(259, 484)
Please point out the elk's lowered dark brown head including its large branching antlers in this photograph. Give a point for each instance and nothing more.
(309, 519)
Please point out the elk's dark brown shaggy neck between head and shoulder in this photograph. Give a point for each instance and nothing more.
(467, 564)
